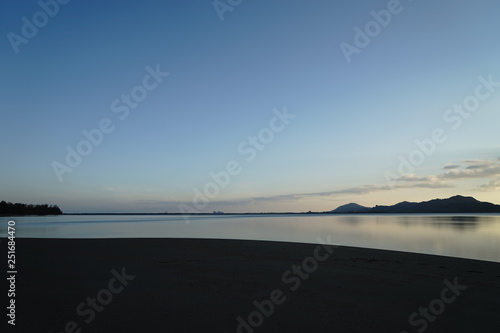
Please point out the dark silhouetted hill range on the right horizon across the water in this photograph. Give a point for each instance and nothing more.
(455, 204)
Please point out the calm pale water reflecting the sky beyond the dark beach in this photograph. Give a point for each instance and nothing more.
(467, 236)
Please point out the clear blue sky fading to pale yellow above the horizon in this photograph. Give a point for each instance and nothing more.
(248, 106)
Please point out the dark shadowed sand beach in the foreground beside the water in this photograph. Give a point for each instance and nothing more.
(195, 285)
